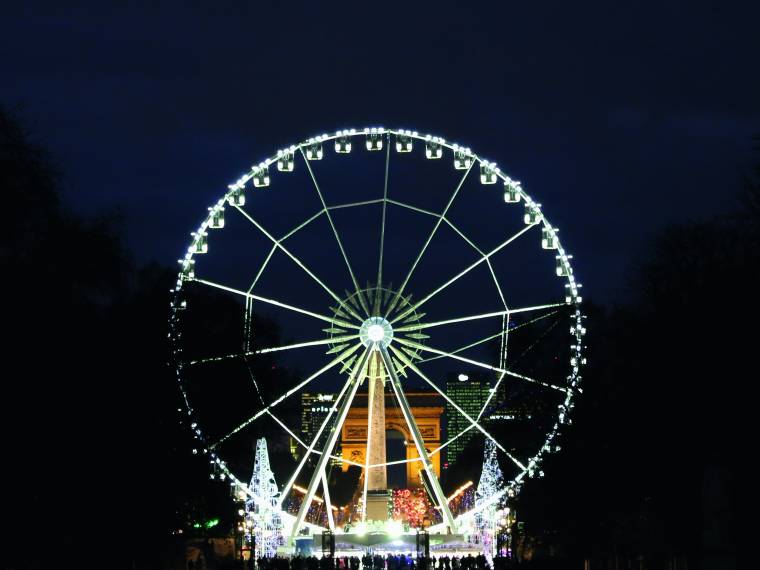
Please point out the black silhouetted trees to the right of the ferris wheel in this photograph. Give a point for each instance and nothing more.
(648, 467)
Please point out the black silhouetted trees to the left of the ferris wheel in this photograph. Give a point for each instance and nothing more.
(96, 463)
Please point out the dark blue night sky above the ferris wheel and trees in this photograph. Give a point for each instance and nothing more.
(618, 117)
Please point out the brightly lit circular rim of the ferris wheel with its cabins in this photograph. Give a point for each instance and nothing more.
(261, 169)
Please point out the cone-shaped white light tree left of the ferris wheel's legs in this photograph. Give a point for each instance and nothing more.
(263, 524)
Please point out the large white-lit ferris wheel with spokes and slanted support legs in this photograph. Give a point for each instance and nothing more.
(380, 254)
